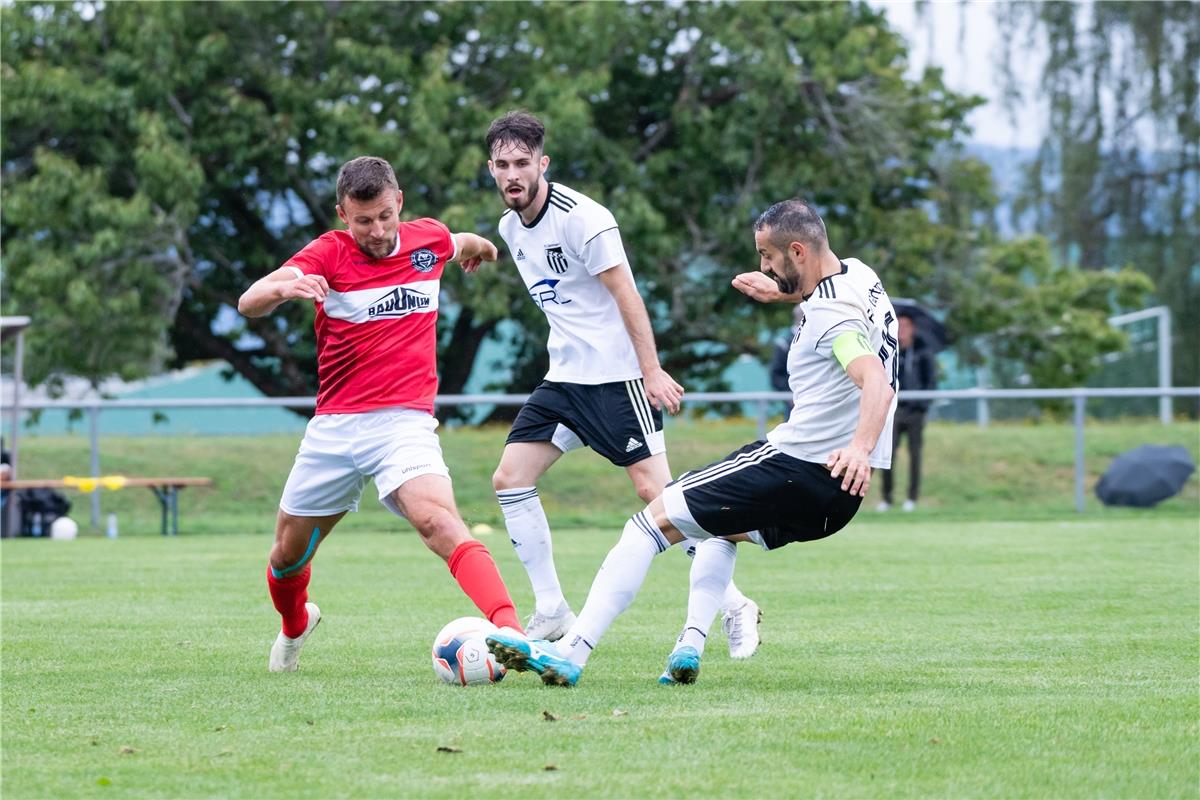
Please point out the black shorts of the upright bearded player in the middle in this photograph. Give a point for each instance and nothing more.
(616, 420)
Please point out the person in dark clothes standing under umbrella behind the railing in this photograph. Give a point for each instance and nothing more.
(919, 371)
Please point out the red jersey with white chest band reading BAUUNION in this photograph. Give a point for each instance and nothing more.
(377, 329)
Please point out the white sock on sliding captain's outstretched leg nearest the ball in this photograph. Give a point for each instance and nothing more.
(615, 587)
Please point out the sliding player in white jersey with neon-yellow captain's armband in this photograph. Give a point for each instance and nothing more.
(805, 483)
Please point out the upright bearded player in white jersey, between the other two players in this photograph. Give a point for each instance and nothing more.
(605, 388)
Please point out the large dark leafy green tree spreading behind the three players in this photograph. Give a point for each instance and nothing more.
(160, 158)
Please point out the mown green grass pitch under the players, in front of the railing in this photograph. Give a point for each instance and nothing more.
(933, 659)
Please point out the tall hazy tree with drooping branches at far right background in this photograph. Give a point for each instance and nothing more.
(1118, 179)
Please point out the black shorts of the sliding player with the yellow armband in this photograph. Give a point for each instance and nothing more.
(760, 489)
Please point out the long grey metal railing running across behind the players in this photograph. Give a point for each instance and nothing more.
(761, 400)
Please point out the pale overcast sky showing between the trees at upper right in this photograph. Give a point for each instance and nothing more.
(964, 39)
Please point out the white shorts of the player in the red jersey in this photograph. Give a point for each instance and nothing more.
(341, 452)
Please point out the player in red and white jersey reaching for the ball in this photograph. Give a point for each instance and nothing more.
(376, 291)
